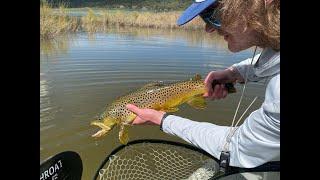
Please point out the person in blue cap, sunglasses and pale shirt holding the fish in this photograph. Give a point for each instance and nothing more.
(243, 24)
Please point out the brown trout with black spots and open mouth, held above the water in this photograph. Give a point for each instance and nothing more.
(159, 96)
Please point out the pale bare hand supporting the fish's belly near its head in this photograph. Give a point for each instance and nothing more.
(146, 116)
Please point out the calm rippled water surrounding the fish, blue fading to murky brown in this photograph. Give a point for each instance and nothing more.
(82, 73)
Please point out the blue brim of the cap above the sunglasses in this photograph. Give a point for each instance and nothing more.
(194, 10)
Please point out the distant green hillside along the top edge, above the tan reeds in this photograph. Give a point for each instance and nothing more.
(158, 5)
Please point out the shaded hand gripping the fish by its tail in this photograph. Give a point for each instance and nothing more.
(221, 77)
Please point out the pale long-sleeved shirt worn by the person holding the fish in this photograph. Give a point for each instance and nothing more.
(257, 140)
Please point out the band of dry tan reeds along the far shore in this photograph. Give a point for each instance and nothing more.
(52, 24)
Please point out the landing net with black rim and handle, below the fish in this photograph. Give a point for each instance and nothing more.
(160, 159)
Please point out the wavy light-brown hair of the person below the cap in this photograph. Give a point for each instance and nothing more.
(257, 14)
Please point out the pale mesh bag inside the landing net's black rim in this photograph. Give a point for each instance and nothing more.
(156, 160)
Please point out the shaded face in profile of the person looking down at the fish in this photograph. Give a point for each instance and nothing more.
(236, 38)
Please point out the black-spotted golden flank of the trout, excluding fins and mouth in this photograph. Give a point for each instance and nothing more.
(153, 97)
